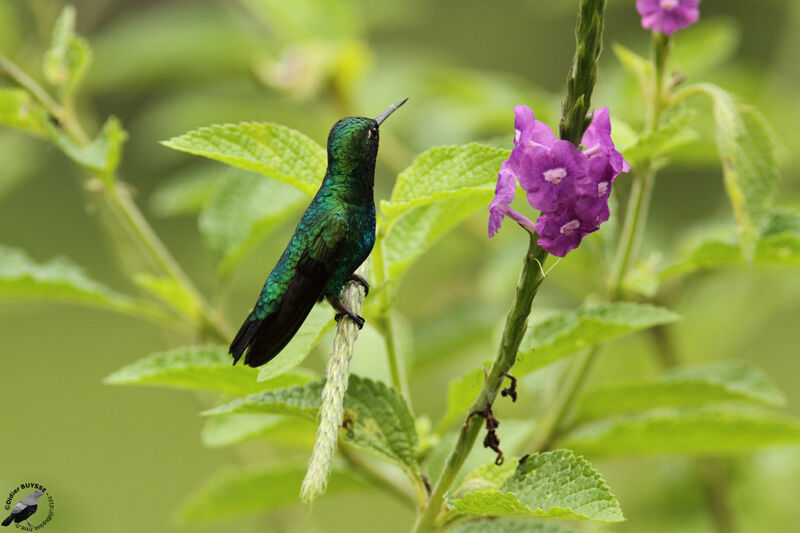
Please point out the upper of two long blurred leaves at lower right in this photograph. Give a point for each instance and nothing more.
(685, 387)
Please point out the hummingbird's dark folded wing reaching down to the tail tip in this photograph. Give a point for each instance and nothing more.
(268, 336)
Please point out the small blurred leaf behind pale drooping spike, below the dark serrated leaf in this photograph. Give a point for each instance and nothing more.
(225, 430)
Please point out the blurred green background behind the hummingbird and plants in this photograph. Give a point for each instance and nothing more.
(122, 459)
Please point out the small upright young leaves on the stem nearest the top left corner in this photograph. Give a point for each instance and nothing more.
(69, 56)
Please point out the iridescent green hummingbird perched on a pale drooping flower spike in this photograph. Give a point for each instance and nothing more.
(334, 236)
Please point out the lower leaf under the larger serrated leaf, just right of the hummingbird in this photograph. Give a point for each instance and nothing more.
(419, 229)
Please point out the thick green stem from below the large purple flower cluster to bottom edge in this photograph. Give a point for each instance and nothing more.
(515, 327)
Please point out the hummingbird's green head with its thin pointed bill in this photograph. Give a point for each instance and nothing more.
(353, 143)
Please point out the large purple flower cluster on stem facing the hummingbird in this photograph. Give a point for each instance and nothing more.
(569, 186)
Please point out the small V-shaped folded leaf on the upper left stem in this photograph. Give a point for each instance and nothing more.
(102, 154)
